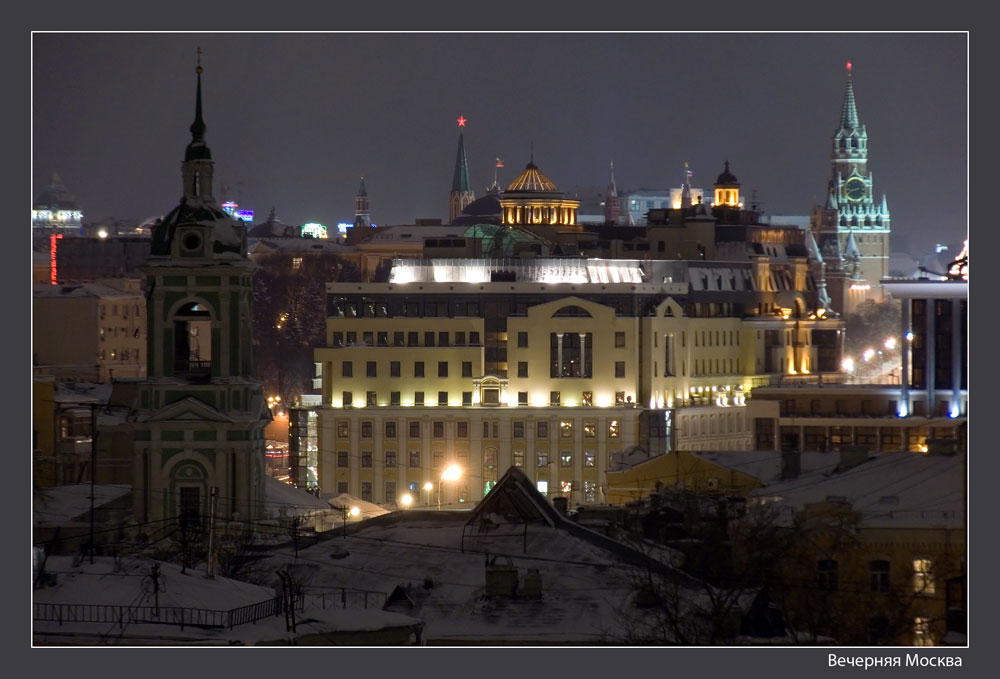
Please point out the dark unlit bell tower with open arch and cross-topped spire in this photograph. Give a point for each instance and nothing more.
(199, 416)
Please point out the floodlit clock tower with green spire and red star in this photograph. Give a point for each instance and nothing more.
(852, 229)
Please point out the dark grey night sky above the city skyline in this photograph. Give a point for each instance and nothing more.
(294, 120)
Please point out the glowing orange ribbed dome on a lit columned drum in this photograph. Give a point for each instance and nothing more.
(533, 199)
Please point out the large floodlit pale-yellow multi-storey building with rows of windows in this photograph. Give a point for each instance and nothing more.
(558, 366)
